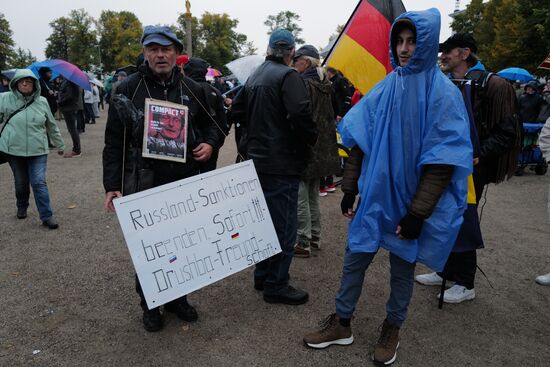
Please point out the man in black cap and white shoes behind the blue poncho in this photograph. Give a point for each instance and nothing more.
(496, 121)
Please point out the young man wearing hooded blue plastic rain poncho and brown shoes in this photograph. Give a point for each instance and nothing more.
(410, 142)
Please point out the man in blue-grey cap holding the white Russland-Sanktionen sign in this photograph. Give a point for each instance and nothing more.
(125, 171)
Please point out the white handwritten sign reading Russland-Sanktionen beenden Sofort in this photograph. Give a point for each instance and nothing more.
(190, 233)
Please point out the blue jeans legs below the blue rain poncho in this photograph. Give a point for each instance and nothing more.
(353, 275)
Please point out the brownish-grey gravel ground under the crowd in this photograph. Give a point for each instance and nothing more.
(68, 299)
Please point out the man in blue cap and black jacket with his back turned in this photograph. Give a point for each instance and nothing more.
(278, 133)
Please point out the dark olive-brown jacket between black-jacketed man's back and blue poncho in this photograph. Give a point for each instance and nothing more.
(324, 160)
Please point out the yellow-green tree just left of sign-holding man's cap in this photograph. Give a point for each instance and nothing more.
(119, 38)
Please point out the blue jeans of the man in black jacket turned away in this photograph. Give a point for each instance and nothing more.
(281, 195)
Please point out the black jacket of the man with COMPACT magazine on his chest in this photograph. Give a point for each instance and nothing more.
(177, 89)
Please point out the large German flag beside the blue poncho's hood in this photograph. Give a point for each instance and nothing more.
(361, 52)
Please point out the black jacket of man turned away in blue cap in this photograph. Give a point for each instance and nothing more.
(278, 129)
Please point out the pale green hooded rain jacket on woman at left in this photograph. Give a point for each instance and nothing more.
(25, 134)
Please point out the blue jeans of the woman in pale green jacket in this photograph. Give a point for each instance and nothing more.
(31, 171)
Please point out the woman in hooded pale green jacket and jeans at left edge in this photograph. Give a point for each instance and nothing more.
(24, 139)
